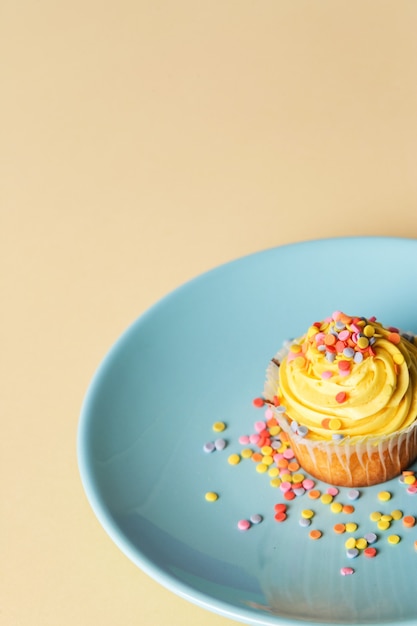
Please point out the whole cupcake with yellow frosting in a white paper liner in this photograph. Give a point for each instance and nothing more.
(346, 395)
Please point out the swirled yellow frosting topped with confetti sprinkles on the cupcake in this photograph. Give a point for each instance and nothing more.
(349, 377)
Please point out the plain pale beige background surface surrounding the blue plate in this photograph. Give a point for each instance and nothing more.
(142, 143)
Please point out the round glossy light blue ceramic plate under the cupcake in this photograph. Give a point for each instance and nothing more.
(199, 356)
